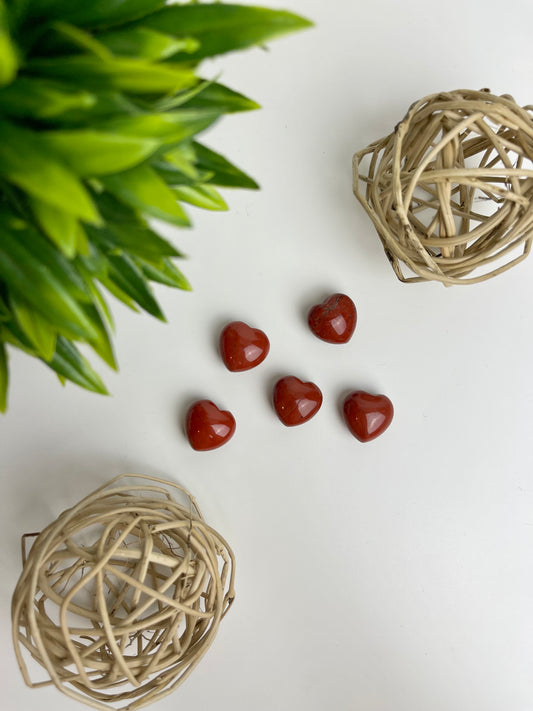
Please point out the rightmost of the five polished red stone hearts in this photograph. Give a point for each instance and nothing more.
(366, 415)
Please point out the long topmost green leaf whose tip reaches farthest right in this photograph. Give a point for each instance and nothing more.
(224, 28)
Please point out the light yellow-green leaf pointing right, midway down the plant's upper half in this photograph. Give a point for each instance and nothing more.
(168, 128)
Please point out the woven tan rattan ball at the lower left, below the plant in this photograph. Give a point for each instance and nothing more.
(121, 596)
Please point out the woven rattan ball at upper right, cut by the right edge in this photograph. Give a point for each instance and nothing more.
(450, 190)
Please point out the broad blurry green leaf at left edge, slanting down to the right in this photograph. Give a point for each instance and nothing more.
(28, 163)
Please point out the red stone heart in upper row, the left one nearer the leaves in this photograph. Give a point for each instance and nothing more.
(242, 347)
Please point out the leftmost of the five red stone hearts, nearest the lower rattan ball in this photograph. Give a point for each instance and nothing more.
(207, 426)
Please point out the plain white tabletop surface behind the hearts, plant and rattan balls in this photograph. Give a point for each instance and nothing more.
(395, 575)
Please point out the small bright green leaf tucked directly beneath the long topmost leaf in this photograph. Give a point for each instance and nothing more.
(146, 44)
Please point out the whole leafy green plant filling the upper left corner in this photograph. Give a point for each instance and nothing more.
(100, 106)
